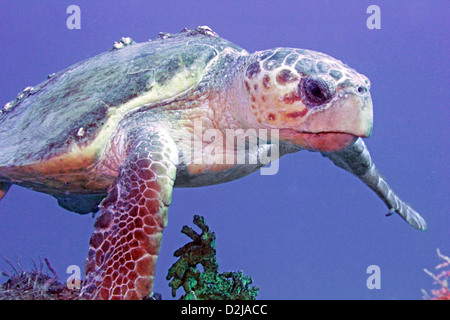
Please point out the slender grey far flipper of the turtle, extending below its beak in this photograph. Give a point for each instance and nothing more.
(356, 159)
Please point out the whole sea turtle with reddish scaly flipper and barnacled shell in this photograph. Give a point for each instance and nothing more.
(118, 131)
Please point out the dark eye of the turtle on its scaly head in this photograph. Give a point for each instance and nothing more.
(315, 92)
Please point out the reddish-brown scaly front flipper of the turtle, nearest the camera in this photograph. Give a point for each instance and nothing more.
(126, 241)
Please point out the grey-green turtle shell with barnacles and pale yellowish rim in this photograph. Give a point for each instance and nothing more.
(79, 108)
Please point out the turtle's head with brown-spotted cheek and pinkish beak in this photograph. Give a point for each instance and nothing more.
(317, 102)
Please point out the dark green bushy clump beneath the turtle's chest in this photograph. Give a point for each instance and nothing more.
(207, 284)
